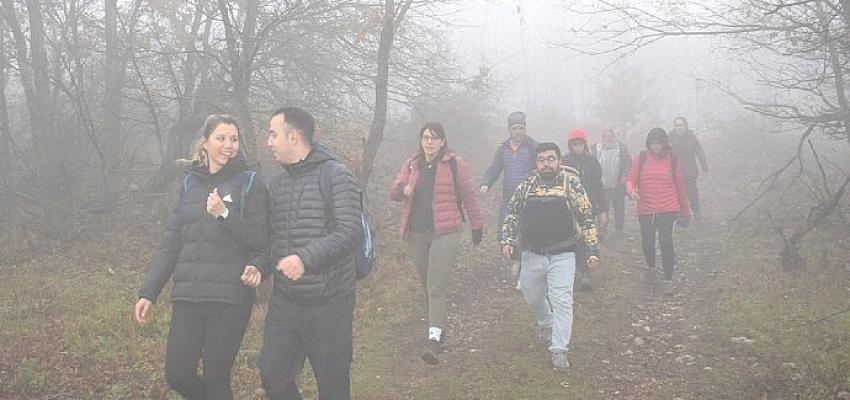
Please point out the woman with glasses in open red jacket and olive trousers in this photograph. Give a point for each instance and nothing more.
(435, 186)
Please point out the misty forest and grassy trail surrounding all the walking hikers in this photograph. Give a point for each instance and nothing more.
(100, 99)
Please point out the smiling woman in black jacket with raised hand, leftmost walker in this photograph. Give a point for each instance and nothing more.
(214, 242)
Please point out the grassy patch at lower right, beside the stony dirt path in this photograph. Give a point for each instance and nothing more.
(784, 314)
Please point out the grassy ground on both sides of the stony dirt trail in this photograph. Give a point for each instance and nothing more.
(67, 328)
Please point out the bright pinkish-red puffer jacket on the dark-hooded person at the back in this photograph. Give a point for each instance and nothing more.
(658, 192)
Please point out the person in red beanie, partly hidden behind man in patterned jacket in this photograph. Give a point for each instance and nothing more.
(590, 173)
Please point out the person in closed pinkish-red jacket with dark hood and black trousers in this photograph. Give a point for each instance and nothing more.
(657, 183)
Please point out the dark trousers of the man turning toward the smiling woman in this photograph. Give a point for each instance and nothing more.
(321, 333)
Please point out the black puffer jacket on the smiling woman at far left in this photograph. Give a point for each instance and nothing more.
(205, 257)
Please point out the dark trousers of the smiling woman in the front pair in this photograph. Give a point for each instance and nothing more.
(211, 330)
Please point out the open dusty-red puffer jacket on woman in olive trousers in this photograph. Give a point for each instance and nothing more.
(447, 216)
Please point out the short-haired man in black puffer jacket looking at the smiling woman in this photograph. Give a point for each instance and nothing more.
(312, 249)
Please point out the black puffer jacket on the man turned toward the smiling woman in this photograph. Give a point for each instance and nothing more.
(299, 226)
